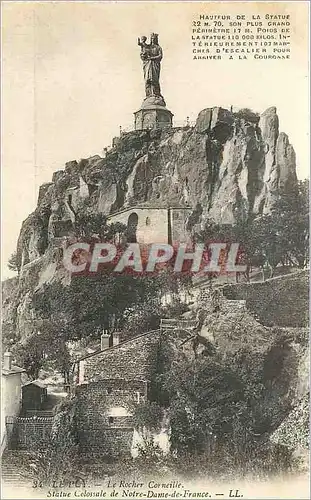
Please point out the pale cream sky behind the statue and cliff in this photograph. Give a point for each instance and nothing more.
(71, 76)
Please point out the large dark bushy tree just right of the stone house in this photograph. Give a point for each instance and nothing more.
(207, 399)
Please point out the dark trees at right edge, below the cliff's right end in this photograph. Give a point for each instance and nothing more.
(281, 236)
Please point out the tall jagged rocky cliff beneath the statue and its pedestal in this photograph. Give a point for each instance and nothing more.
(225, 167)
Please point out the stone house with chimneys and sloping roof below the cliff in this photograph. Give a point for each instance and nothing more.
(109, 383)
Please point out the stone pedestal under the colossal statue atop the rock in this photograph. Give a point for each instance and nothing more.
(153, 114)
